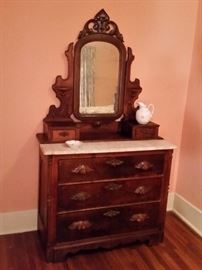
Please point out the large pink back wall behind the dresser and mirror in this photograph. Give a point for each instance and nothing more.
(35, 36)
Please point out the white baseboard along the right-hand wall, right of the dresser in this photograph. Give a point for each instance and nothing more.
(189, 213)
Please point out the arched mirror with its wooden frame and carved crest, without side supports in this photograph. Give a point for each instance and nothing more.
(99, 71)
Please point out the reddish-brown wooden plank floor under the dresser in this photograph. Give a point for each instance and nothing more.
(181, 250)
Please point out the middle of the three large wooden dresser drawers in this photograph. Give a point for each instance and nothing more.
(81, 196)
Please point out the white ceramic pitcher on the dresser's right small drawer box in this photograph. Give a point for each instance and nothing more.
(144, 113)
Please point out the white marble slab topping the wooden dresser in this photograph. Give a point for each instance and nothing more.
(106, 147)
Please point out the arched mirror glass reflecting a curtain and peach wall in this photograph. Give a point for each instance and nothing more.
(99, 78)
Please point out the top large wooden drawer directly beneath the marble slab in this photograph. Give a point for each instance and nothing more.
(110, 166)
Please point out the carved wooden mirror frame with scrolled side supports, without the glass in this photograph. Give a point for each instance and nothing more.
(100, 28)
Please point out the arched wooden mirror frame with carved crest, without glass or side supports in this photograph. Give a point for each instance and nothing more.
(101, 30)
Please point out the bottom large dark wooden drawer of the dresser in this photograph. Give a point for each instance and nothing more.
(88, 224)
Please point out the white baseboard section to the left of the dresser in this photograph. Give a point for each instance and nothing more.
(17, 222)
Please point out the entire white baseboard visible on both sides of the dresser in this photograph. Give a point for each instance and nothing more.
(24, 221)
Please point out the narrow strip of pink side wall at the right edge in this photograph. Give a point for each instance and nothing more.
(189, 180)
